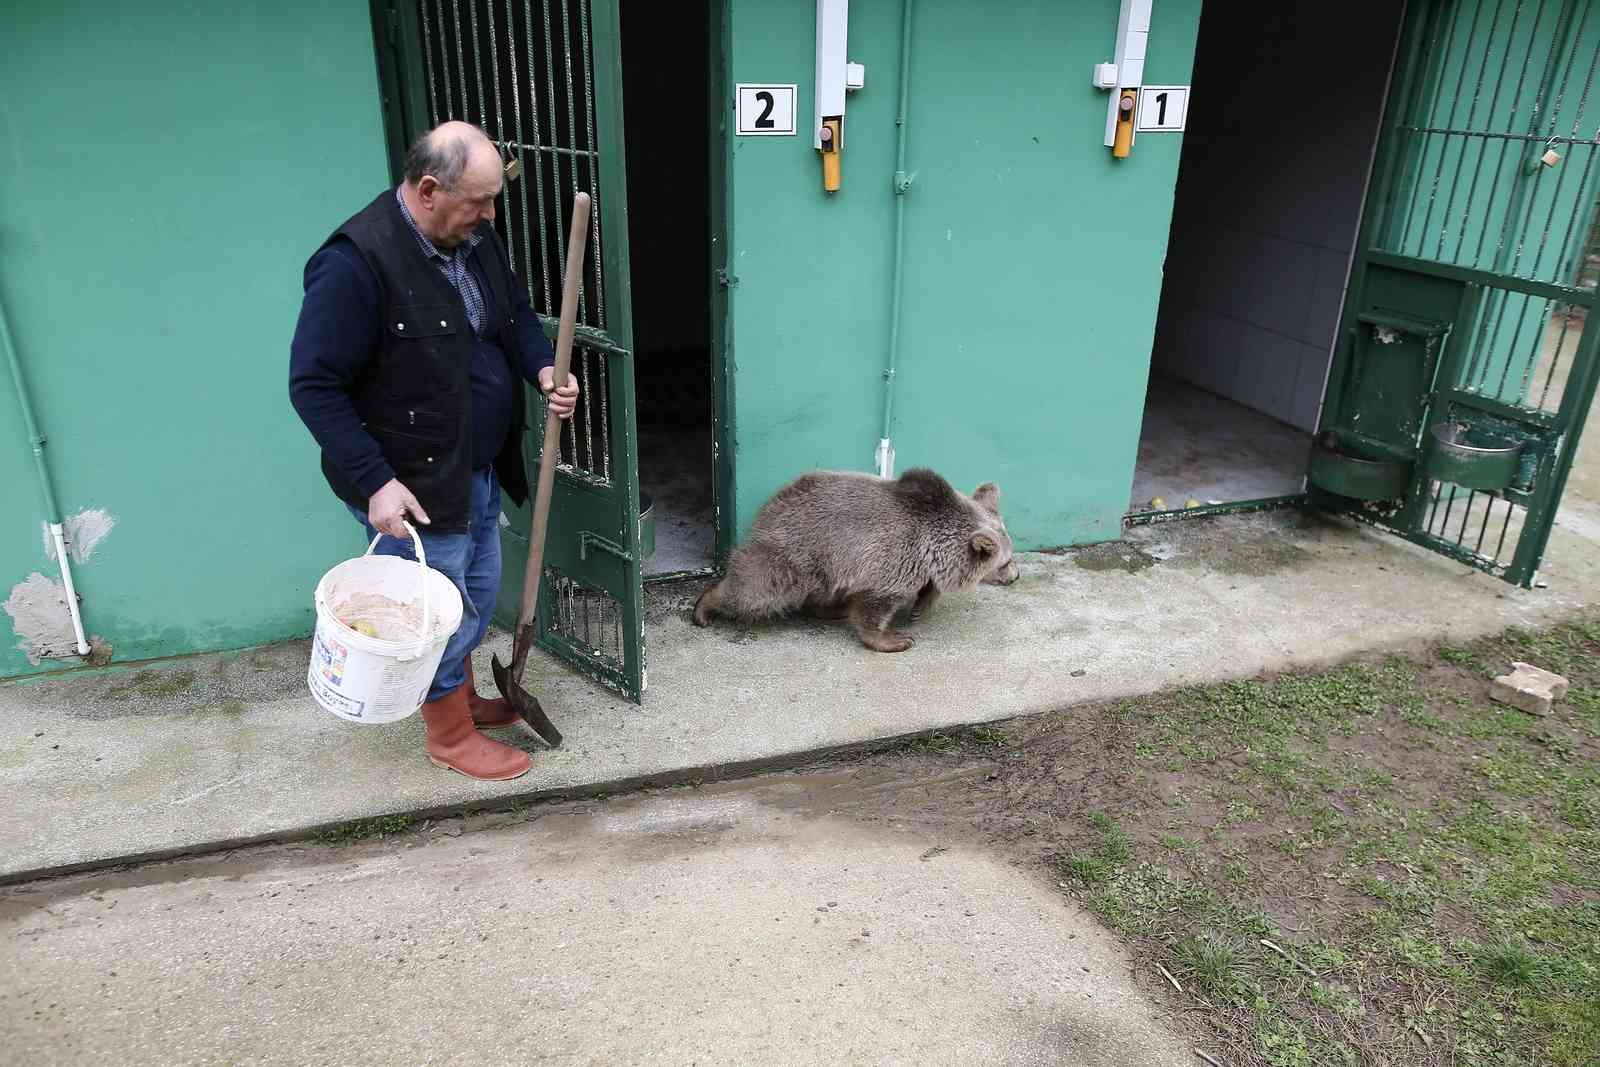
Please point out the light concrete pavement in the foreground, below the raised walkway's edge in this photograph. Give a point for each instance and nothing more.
(743, 924)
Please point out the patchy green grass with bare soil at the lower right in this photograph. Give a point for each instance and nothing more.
(1428, 860)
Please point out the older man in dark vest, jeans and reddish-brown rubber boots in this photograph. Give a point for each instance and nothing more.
(407, 367)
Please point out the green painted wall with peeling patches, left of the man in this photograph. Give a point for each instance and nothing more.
(164, 178)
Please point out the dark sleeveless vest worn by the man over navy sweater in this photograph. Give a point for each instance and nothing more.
(417, 396)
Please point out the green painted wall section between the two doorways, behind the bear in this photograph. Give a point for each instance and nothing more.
(1033, 258)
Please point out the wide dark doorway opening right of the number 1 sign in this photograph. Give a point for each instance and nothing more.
(1281, 137)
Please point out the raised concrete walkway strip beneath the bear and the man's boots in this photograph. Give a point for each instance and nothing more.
(225, 749)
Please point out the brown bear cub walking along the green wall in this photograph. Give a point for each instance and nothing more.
(839, 545)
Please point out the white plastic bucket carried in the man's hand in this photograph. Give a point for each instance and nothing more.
(374, 681)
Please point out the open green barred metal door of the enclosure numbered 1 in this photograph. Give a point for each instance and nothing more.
(1468, 353)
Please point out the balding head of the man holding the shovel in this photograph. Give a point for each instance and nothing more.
(452, 180)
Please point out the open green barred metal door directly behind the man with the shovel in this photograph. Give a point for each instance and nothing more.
(545, 81)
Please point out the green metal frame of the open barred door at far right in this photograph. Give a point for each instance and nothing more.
(1553, 439)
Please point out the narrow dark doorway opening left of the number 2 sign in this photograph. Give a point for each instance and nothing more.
(666, 90)
